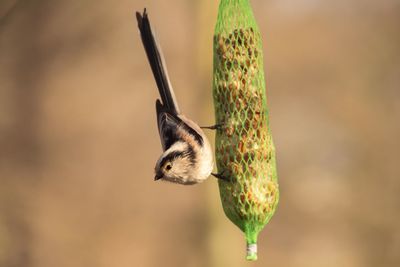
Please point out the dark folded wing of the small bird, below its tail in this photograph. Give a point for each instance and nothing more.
(171, 127)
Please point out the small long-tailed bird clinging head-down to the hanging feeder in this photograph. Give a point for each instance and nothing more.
(187, 155)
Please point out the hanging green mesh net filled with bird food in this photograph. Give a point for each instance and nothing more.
(244, 149)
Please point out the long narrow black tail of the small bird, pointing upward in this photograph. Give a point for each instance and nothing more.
(156, 60)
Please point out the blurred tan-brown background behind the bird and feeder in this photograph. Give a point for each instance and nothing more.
(78, 136)
